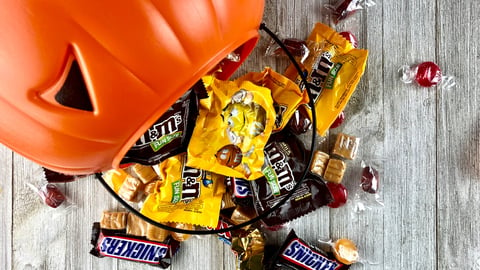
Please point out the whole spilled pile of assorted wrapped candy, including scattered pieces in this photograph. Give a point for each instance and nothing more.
(229, 151)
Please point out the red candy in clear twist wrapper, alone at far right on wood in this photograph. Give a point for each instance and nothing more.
(426, 74)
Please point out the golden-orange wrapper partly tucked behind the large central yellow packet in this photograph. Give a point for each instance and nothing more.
(286, 94)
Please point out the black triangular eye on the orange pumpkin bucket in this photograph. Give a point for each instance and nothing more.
(74, 92)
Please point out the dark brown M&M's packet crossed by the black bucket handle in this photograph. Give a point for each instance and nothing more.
(285, 162)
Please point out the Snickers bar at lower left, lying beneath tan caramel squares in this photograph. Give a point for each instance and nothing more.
(117, 244)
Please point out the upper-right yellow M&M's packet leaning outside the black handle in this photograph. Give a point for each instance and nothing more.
(334, 69)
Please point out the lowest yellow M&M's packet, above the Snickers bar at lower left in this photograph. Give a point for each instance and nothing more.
(186, 195)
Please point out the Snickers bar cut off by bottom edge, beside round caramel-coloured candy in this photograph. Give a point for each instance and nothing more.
(297, 254)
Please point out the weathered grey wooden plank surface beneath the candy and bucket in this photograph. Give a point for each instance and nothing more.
(424, 141)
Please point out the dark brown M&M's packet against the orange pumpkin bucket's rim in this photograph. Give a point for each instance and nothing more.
(171, 133)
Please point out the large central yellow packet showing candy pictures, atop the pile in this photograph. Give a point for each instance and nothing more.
(232, 128)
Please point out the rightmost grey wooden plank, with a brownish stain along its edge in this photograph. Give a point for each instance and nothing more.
(458, 145)
